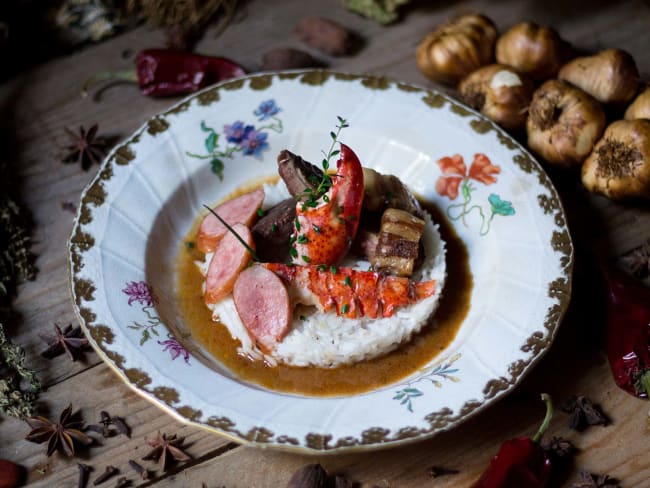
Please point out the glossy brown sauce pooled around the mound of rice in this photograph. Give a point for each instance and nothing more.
(343, 380)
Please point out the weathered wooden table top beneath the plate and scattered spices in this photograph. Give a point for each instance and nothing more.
(37, 105)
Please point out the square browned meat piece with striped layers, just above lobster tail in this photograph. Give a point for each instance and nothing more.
(398, 244)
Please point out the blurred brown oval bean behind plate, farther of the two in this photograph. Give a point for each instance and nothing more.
(325, 35)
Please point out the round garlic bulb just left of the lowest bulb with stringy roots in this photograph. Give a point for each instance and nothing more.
(563, 123)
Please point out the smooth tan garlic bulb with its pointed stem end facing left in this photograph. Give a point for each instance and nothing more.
(611, 76)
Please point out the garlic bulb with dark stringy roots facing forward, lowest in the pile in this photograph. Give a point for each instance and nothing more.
(619, 165)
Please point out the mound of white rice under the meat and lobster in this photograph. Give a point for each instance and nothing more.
(327, 340)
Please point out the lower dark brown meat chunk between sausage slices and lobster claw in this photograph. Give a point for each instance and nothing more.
(272, 232)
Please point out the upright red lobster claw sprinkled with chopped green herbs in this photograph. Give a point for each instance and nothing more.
(323, 234)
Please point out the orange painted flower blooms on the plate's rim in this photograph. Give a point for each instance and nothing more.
(454, 172)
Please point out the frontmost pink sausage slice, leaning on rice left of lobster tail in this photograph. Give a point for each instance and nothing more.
(262, 302)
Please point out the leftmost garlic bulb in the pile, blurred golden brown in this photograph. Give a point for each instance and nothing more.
(457, 48)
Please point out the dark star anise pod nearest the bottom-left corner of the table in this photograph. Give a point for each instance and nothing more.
(61, 435)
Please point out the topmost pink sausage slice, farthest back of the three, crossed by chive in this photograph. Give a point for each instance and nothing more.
(242, 209)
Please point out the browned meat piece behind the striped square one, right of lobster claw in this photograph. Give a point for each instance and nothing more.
(387, 191)
